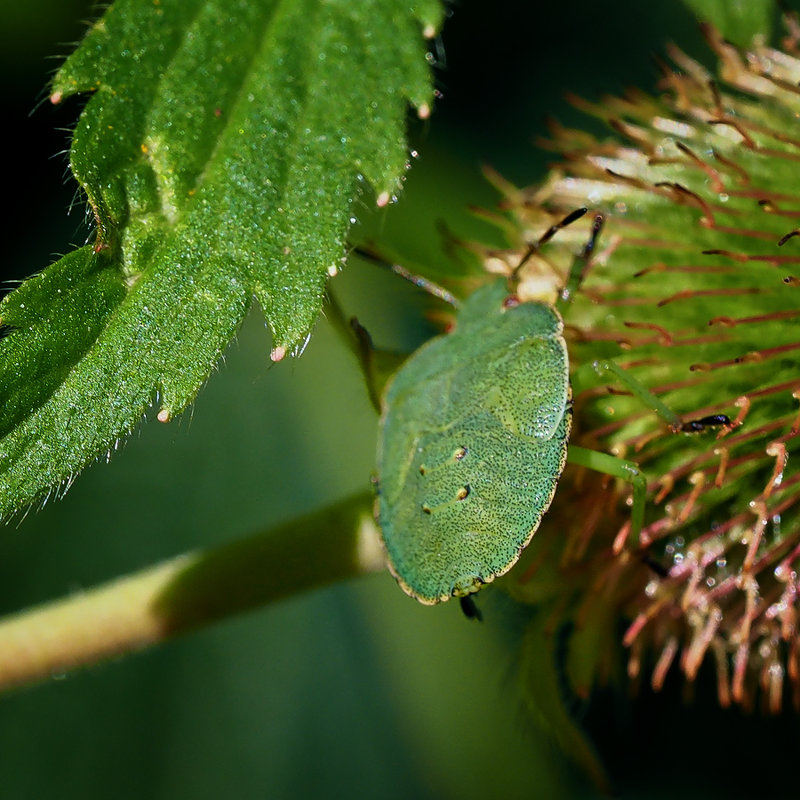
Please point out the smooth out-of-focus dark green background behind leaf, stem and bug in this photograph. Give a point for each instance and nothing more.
(355, 689)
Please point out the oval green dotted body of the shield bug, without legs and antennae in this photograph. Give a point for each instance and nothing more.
(474, 439)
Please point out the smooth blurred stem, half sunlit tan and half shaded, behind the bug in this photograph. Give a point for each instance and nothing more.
(188, 592)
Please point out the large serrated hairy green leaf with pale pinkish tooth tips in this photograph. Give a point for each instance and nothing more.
(222, 152)
